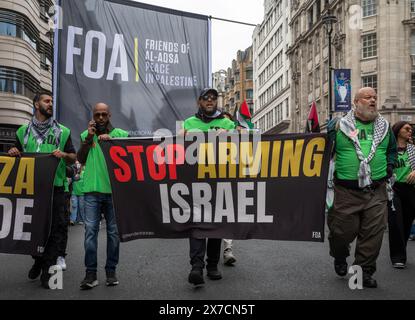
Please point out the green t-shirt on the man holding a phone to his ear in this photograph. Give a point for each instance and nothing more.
(96, 178)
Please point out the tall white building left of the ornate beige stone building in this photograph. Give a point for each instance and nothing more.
(272, 69)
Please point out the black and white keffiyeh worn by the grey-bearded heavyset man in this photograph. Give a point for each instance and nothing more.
(348, 127)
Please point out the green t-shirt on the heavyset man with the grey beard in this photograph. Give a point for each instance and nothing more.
(347, 162)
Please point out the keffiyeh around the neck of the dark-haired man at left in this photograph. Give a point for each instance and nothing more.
(40, 131)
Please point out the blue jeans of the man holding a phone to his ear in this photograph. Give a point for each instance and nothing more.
(95, 204)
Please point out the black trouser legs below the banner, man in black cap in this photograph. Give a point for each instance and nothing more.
(198, 249)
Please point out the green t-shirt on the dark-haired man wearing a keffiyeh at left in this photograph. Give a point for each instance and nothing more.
(48, 146)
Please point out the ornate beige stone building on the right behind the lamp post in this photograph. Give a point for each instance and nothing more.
(373, 38)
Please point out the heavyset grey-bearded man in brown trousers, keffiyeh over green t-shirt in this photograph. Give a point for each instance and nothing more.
(364, 151)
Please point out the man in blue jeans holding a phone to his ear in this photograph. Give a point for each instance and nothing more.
(97, 198)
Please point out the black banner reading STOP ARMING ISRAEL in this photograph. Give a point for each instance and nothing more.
(233, 186)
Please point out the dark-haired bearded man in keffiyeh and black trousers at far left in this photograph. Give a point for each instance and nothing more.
(45, 135)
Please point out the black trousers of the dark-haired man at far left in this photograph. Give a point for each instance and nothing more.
(58, 234)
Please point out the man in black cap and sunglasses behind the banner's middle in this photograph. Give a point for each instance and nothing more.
(207, 118)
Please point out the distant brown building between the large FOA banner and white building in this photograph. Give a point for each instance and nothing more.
(239, 82)
